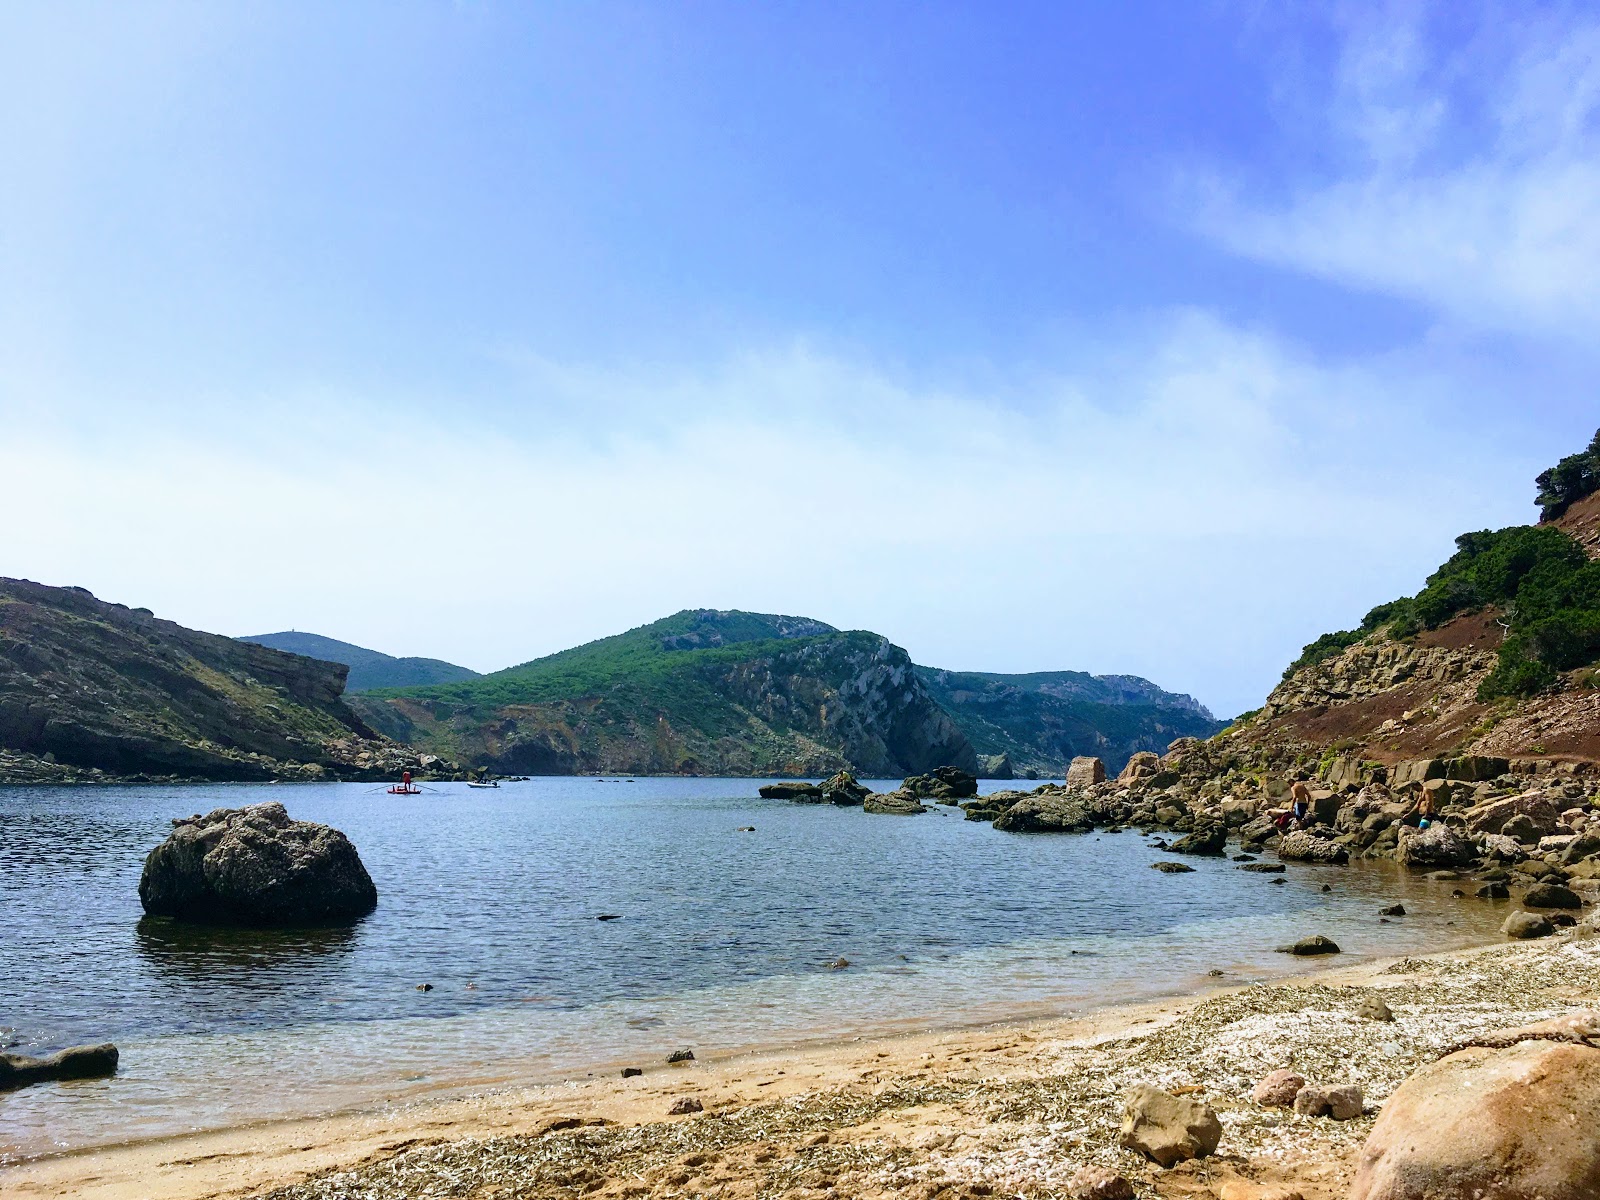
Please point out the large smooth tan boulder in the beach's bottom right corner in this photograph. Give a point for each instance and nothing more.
(1516, 1121)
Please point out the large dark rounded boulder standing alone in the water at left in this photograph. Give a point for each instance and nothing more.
(255, 866)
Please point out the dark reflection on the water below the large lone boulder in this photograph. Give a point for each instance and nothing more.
(239, 958)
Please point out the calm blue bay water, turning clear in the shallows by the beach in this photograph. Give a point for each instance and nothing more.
(492, 897)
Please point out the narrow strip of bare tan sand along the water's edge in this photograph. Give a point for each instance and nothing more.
(279, 1153)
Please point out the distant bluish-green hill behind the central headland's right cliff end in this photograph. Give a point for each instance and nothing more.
(1042, 721)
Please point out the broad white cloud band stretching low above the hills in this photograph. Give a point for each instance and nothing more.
(1191, 505)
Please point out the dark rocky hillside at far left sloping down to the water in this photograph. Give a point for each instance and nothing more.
(110, 689)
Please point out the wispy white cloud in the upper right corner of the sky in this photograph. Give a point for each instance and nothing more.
(1470, 180)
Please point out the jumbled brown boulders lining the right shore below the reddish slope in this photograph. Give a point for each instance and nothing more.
(1502, 826)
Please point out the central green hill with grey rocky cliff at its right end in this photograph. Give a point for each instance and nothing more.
(702, 692)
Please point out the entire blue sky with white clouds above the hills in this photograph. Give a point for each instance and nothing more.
(1129, 338)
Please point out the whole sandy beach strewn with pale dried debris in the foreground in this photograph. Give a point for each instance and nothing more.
(1001, 1111)
